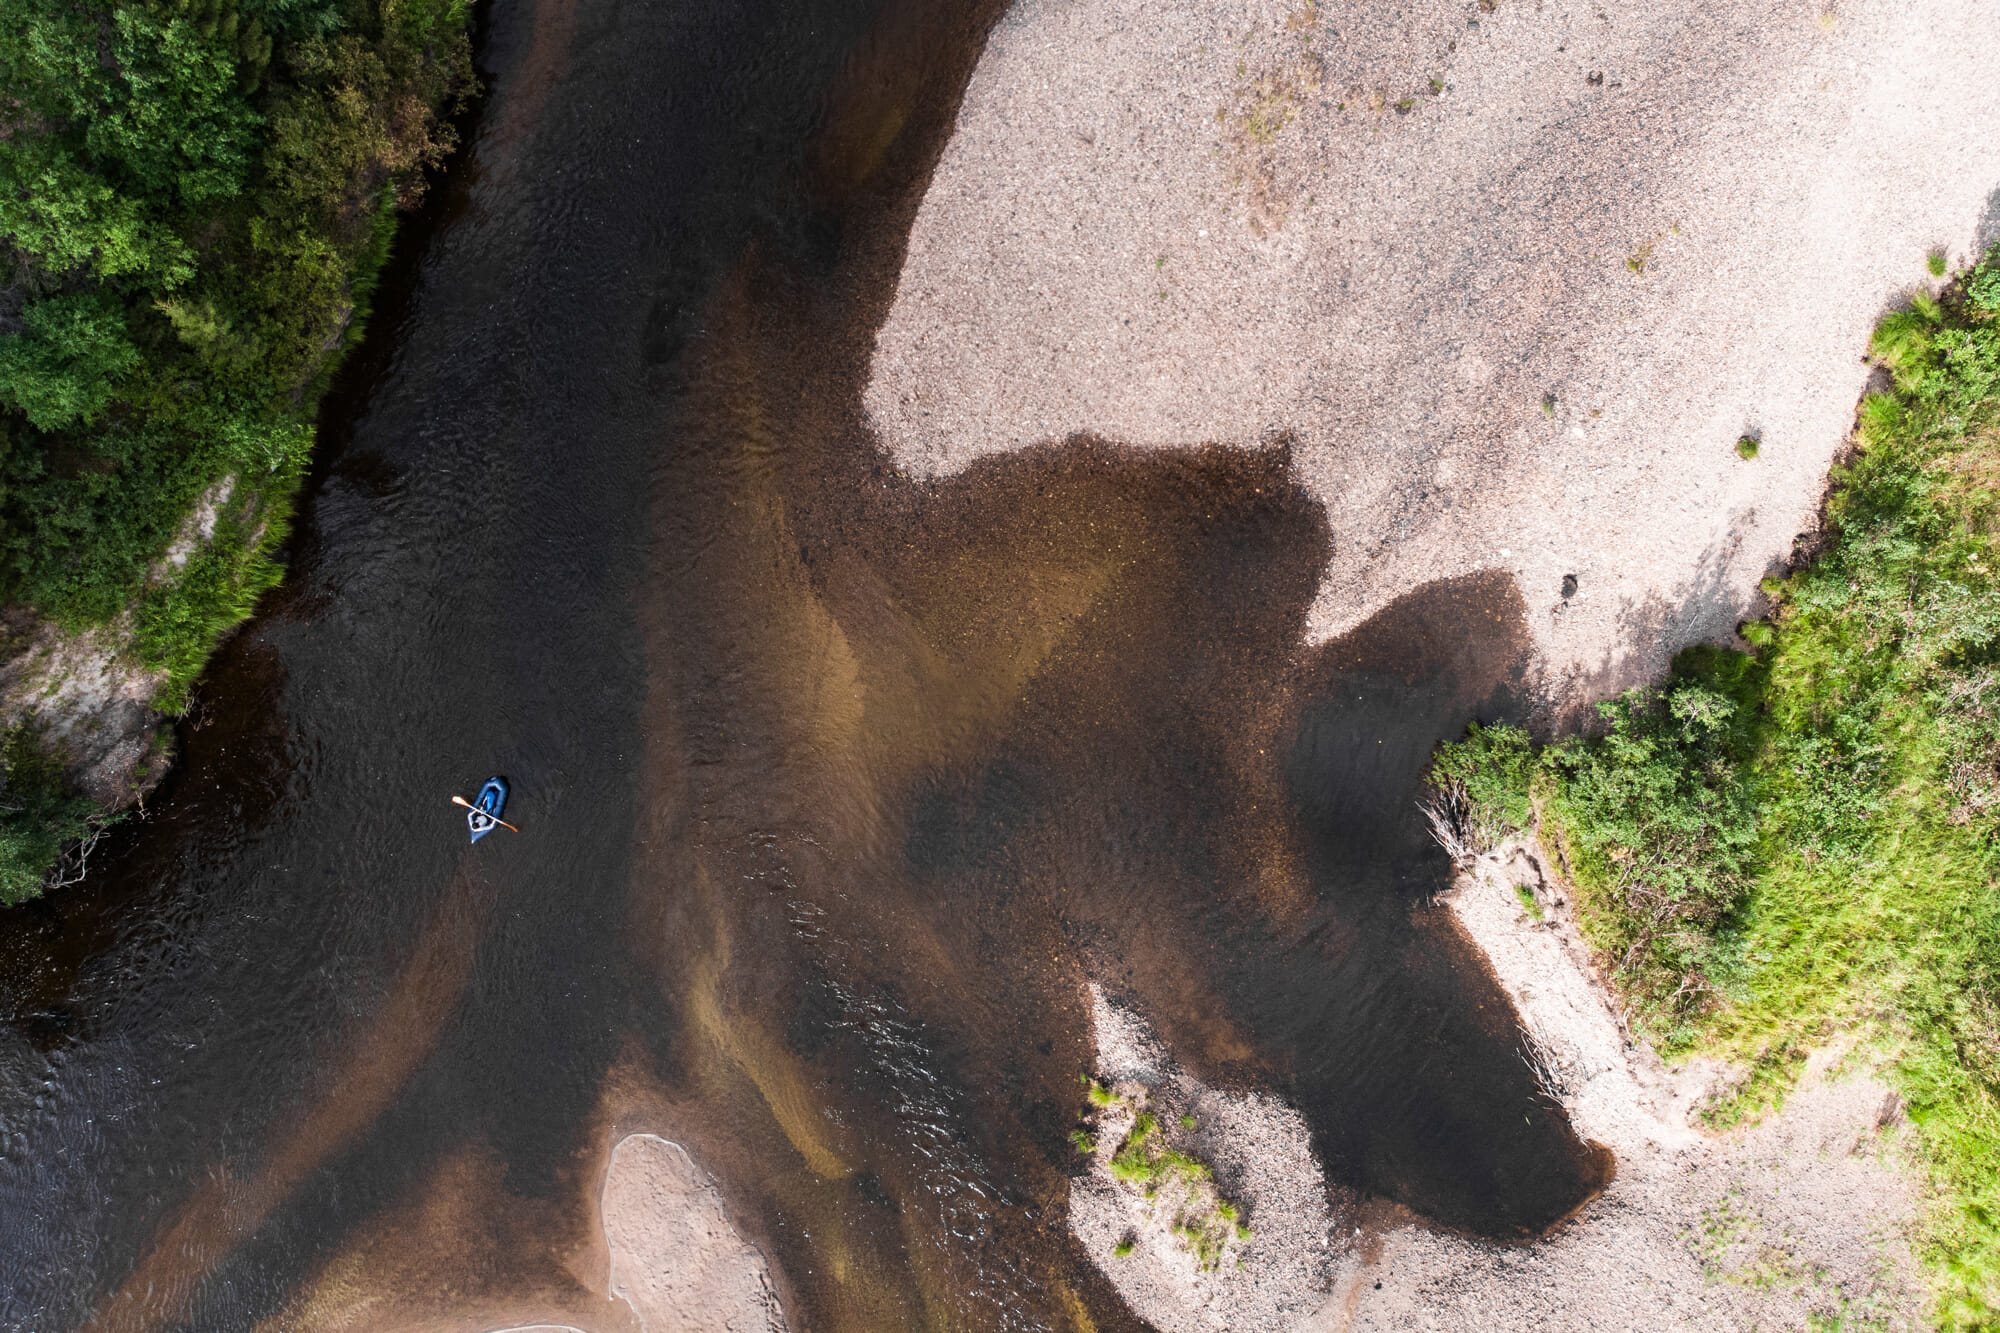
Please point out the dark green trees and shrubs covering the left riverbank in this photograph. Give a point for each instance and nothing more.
(197, 201)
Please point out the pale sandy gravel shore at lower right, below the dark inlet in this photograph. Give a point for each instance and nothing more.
(1807, 1216)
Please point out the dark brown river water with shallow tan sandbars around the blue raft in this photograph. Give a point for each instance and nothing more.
(835, 790)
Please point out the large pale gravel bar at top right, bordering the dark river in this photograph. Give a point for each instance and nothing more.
(1513, 277)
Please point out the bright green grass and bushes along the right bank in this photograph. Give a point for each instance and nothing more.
(1777, 848)
